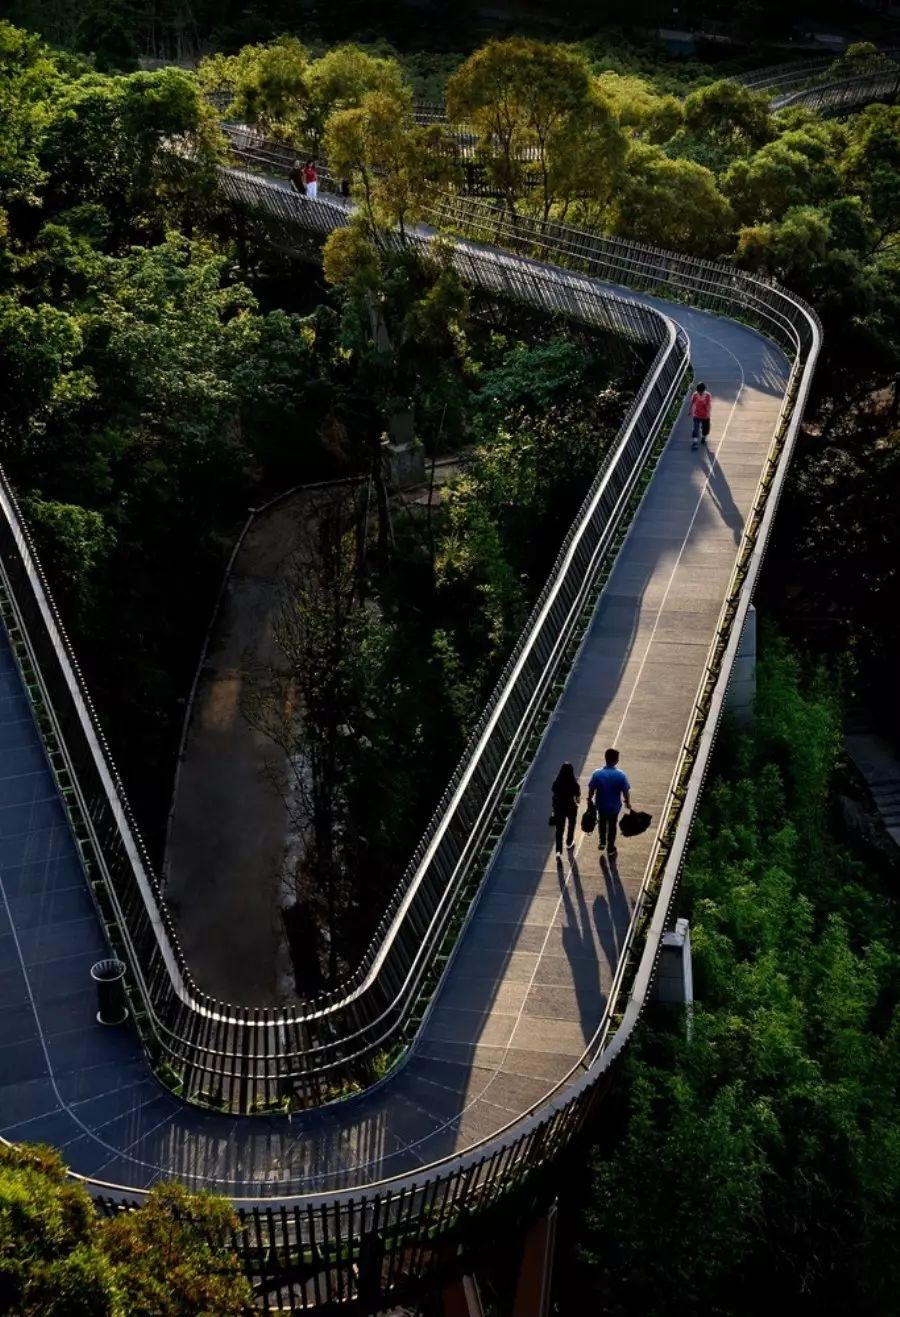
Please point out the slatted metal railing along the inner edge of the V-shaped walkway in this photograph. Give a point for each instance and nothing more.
(240, 1058)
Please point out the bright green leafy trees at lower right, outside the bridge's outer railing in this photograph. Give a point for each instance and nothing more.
(760, 1157)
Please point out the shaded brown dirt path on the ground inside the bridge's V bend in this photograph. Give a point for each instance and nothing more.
(230, 830)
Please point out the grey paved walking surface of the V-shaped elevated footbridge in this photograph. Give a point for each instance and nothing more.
(529, 984)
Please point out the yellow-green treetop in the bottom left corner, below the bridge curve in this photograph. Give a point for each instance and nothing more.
(60, 1260)
